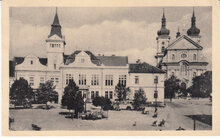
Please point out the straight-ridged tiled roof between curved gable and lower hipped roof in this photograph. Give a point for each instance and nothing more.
(113, 60)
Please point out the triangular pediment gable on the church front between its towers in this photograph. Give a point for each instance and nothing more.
(184, 43)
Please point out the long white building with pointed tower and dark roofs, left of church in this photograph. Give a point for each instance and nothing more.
(95, 75)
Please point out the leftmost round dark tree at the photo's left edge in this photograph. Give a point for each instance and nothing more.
(20, 92)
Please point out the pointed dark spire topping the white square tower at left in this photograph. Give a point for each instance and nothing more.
(56, 27)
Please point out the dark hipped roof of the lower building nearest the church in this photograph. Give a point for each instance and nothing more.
(144, 68)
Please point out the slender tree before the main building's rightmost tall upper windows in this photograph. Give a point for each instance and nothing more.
(122, 91)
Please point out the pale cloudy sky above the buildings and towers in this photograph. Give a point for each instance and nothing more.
(123, 31)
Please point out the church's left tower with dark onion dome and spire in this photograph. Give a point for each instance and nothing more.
(163, 39)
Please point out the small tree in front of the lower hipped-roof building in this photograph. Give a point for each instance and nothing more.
(139, 99)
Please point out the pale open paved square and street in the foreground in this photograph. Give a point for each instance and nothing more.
(174, 115)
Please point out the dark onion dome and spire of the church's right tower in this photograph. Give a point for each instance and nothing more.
(193, 31)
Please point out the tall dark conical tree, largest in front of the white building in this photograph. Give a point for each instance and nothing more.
(72, 98)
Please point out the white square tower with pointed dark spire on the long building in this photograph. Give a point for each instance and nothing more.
(55, 44)
